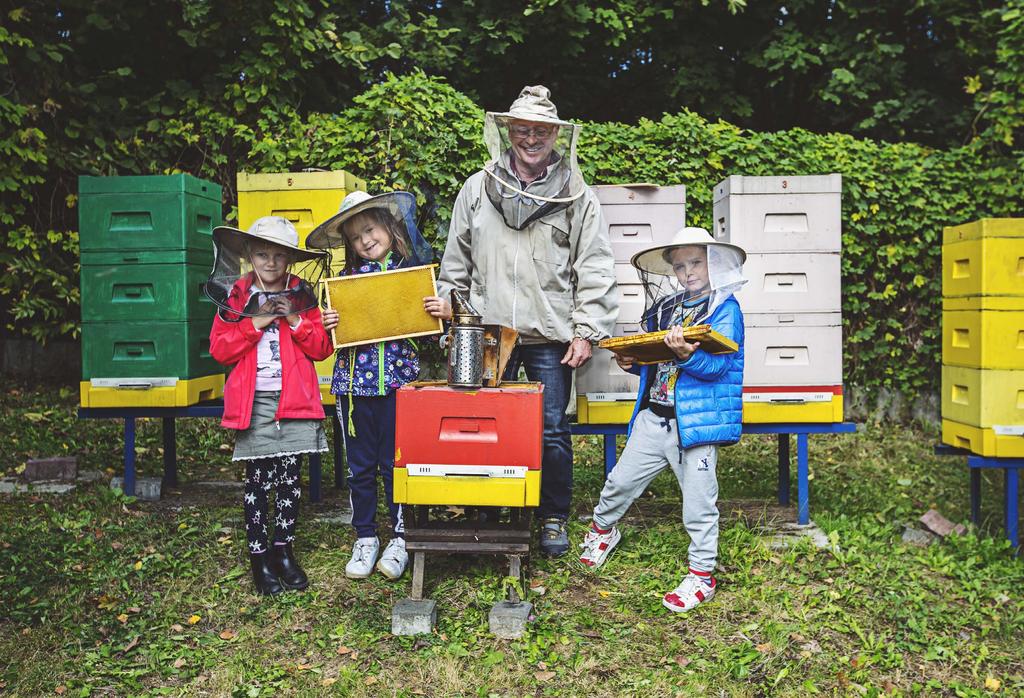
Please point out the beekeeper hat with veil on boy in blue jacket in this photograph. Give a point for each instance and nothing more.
(663, 290)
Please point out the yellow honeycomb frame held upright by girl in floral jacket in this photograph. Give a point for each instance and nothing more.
(382, 307)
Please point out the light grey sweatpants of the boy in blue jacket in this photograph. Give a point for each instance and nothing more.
(654, 446)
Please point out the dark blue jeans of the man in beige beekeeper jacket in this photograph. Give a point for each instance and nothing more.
(542, 363)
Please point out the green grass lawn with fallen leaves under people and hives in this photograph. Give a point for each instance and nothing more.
(101, 595)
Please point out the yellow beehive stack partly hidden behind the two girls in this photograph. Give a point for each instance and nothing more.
(307, 199)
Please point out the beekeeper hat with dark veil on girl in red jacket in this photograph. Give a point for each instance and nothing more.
(233, 255)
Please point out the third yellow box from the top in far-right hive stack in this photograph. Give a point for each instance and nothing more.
(983, 398)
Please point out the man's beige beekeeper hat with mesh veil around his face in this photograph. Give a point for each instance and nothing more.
(531, 136)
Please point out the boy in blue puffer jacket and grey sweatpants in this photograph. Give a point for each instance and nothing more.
(687, 408)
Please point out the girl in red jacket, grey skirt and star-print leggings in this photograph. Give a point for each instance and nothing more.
(270, 332)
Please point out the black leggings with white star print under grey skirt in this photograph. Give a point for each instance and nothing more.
(282, 475)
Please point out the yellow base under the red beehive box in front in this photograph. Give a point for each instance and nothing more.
(467, 491)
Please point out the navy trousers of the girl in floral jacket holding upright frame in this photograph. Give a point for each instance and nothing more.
(370, 454)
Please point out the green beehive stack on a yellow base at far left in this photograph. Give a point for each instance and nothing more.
(147, 250)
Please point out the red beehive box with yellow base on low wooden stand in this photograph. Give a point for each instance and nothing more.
(470, 447)
